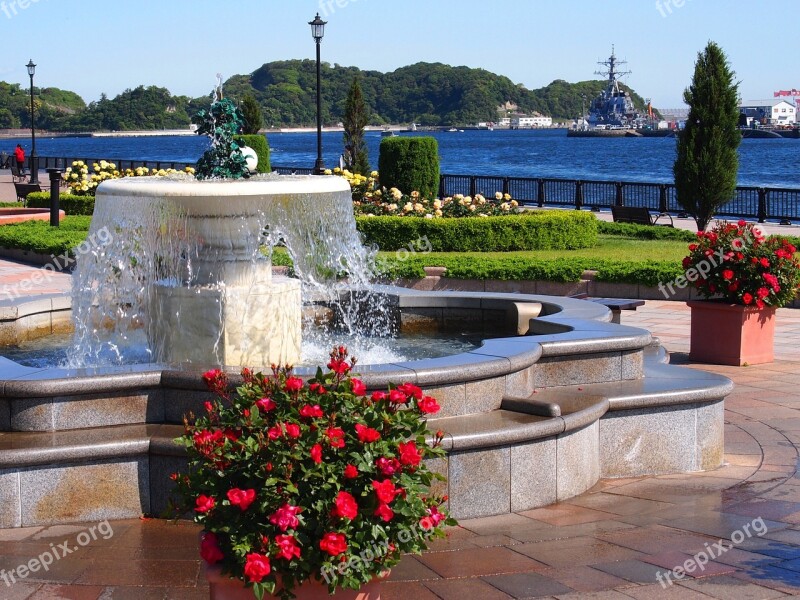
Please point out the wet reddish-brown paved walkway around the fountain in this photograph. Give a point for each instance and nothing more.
(615, 542)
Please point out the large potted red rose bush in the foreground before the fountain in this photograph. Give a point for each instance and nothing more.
(309, 487)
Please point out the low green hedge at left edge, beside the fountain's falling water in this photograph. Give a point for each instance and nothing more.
(39, 237)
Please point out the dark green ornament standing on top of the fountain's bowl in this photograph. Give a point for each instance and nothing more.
(224, 159)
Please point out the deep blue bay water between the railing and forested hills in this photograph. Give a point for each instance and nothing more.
(525, 153)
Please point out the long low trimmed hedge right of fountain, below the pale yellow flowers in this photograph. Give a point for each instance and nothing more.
(551, 230)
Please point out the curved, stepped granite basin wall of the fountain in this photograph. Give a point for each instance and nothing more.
(529, 420)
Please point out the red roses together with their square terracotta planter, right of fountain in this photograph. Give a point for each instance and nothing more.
(744, 277)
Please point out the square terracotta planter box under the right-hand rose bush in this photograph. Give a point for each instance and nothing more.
(729, 334)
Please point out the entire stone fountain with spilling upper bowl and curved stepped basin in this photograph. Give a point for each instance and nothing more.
(556, 398)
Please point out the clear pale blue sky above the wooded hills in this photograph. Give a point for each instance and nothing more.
(92, 47)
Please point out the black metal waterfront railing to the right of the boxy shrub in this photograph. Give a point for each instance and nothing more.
(761, 203)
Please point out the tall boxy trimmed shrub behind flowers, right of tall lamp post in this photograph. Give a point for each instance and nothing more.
(410, 164)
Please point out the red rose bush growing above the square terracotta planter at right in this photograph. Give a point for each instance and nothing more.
(735, 263)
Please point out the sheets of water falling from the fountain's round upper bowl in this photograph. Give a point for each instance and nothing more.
(153, 240)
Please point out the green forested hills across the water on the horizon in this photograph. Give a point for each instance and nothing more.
(424, 93)
